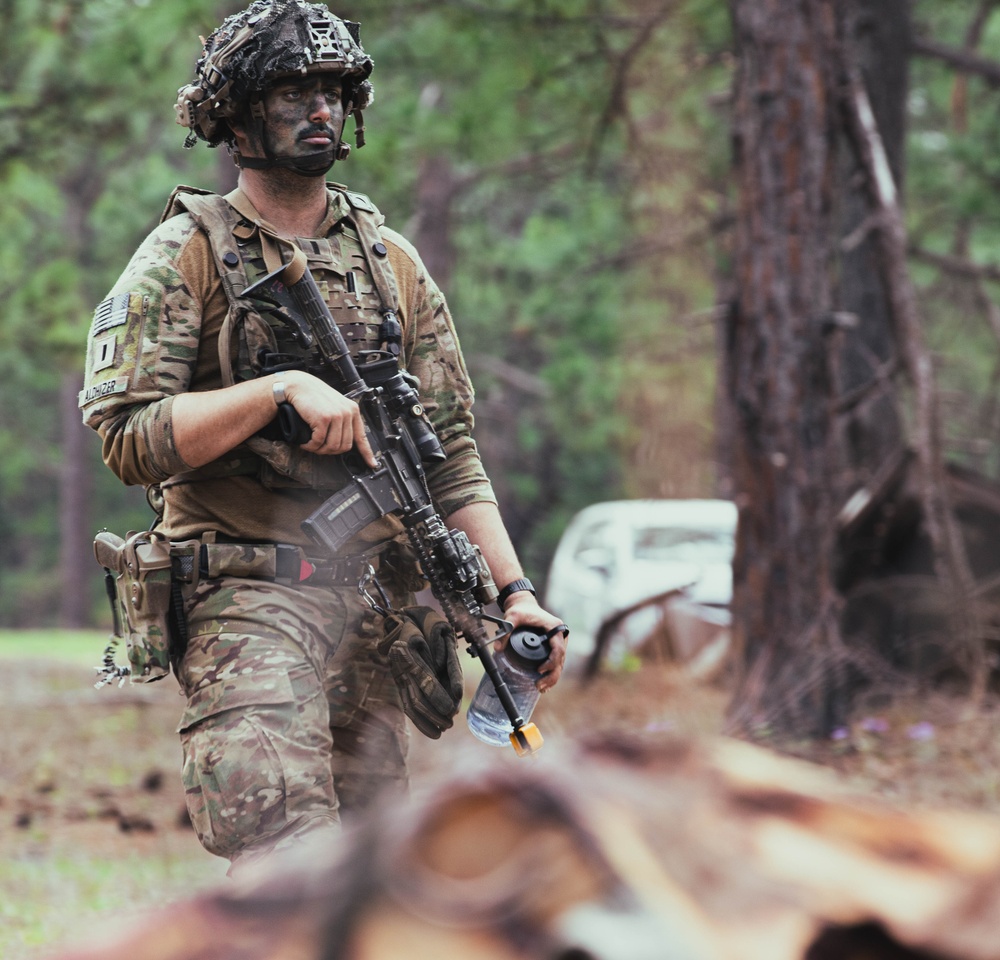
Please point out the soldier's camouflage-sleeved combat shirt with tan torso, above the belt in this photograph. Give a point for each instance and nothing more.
(168, 327)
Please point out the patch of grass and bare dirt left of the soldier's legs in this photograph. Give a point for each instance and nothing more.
(90, 796)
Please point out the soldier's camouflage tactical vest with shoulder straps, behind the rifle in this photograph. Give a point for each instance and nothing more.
(351, 268)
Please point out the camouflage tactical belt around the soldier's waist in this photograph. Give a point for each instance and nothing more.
(277, 562)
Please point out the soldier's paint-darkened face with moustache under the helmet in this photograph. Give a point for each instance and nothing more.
(303, 115)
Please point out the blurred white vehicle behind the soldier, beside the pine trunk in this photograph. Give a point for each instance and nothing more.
(616, 554)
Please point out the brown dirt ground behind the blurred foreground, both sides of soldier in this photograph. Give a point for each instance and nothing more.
(91, 777)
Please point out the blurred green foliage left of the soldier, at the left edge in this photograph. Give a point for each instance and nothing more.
(81, 163)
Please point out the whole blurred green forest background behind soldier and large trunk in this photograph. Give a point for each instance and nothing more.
(565, 168)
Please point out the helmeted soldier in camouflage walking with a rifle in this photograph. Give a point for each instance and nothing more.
(292, 715)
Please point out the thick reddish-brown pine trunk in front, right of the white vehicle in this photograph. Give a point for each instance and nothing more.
(779, 379)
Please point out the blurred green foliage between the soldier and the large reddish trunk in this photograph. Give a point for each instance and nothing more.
(568, 153)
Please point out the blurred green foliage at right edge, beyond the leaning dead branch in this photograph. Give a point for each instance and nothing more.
(952, 174)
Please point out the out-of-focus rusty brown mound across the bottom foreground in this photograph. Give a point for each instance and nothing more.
(682, 851)
